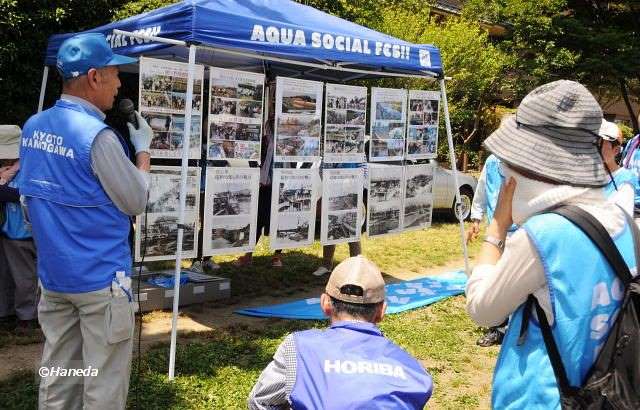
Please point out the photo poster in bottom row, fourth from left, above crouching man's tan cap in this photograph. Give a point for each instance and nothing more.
(341, 210)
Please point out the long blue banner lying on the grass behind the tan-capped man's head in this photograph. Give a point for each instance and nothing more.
(401, 296)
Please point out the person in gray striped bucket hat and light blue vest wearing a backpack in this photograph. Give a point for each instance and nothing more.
(550, 154)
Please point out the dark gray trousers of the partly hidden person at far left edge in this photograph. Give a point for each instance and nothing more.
(18, 279)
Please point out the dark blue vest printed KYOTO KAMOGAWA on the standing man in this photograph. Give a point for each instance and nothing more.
(81, 236)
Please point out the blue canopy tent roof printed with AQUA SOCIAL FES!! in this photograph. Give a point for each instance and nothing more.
(282, 29)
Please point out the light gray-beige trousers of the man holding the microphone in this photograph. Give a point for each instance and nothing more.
(92, 330)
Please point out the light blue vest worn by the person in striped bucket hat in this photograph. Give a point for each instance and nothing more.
(585, 297)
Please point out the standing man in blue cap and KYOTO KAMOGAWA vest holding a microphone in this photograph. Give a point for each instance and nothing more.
(80, 189)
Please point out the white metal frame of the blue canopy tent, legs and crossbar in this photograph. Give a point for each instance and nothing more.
(187, 138)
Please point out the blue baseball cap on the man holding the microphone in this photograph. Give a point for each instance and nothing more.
(82, 52)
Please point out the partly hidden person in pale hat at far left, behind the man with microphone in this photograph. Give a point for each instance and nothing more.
(18, 279)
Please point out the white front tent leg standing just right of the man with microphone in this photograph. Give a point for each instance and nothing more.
(186, 148)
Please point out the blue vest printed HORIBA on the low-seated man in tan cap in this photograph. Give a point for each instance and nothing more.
(351, 365)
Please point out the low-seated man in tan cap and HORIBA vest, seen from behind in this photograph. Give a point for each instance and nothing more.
(350, 364)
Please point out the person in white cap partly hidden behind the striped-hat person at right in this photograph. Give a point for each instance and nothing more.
(624, 184)
